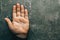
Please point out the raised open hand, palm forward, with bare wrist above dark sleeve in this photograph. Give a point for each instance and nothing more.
(20, 22)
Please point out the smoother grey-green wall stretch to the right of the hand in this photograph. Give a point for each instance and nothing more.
(45, 20)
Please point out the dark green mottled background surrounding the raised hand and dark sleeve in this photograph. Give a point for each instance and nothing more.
(44, 19)
